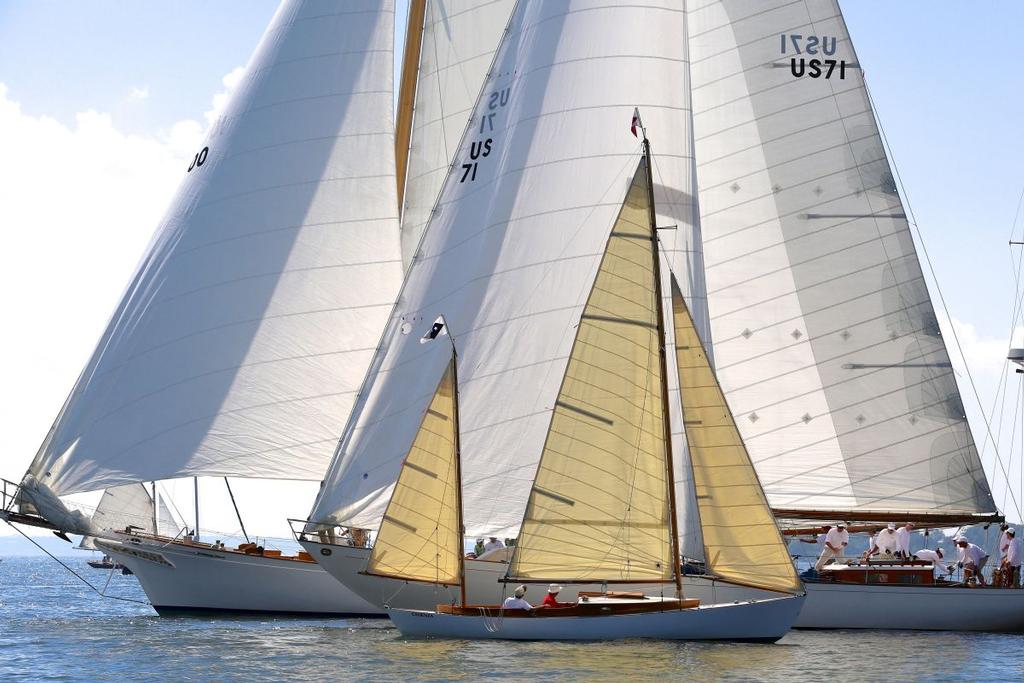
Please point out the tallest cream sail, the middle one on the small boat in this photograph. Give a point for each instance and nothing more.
(600, 507)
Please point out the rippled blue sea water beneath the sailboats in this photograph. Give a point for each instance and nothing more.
(53, 628)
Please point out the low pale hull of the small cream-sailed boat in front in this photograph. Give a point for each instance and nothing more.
(764, 621)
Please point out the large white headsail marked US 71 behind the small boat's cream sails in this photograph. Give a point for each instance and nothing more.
(513, 250)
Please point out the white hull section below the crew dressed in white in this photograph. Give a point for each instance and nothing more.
(913, 608)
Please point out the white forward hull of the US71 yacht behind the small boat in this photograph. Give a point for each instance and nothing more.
(484, 584)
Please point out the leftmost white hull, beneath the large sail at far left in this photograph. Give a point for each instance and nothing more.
(183, 580)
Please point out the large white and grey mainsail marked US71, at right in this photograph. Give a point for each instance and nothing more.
(826, 339)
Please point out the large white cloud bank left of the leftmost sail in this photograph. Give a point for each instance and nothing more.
(80, 204)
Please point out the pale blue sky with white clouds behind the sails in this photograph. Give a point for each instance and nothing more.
(103, 103)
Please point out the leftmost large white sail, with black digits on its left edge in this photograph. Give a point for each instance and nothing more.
(241, 341)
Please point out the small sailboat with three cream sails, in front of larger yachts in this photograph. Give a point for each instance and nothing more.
(603, 505)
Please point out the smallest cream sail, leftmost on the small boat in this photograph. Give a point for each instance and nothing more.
(419, 538)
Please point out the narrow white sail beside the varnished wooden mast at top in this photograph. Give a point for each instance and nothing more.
(457, 47)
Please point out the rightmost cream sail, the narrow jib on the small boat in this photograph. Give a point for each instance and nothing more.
(742, 542)
